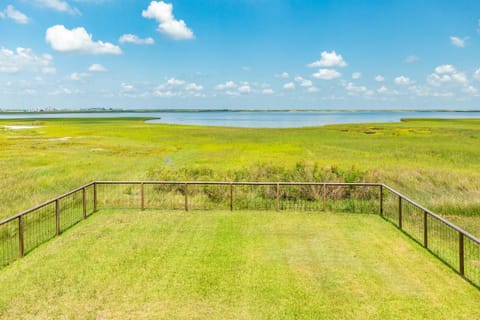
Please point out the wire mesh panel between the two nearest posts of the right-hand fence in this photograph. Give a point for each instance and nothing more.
(443, 241)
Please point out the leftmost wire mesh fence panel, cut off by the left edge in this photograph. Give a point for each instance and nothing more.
(9, 243)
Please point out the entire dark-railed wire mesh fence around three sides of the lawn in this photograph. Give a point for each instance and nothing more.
(27, 230)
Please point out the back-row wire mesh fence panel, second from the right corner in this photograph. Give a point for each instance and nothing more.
(301, 197)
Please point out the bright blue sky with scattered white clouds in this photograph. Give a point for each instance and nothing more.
(333, 54)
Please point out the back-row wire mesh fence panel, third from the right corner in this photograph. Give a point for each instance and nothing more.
(255, 197)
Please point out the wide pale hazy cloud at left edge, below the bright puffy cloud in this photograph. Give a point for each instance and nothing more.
(23, 59)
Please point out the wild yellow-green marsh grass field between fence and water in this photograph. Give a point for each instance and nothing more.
(433, 161)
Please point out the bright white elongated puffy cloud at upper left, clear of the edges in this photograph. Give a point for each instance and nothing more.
(77, 40)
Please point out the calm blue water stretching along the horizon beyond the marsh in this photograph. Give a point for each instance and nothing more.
(260, 119)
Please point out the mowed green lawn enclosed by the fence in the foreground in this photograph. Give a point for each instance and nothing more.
(128, 264)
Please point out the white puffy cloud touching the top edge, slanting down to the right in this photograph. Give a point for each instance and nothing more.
(168, 25)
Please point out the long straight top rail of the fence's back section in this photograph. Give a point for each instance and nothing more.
(266, 183)
